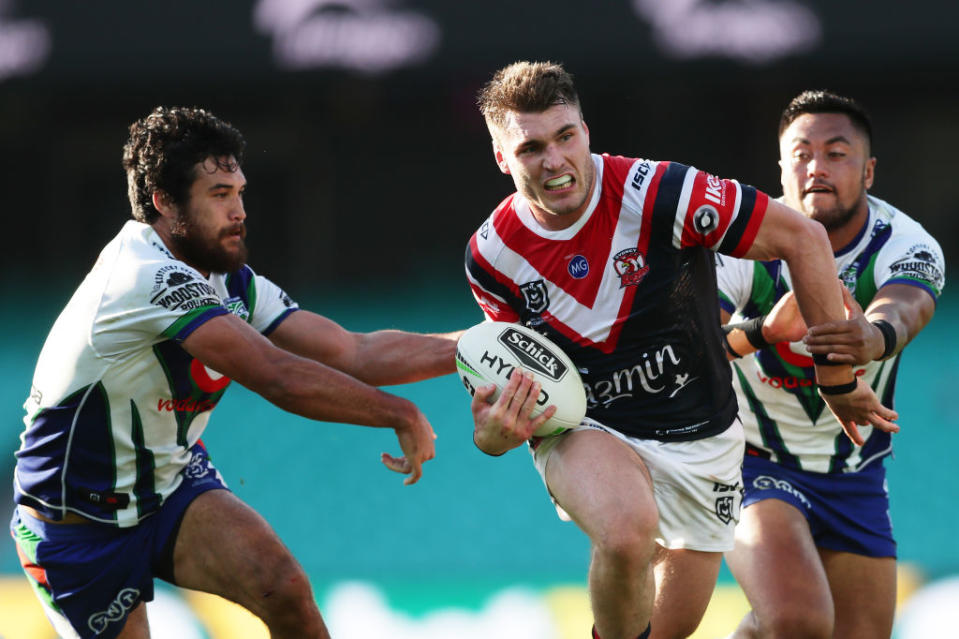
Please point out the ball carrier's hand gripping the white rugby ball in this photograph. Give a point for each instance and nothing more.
(506, 423)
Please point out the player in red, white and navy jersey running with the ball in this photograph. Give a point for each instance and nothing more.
(612, 258)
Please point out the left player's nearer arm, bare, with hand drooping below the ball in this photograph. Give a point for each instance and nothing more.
(231, 347)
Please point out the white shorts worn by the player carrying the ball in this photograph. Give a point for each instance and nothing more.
(697, 484)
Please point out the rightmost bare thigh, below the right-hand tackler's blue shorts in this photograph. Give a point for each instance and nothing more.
(864, 593)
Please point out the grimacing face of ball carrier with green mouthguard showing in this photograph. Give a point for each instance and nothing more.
(547, 154)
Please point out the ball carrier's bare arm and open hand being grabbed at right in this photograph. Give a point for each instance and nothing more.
(804, 245)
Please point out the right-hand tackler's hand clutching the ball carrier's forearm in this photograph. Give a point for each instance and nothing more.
(851, 341)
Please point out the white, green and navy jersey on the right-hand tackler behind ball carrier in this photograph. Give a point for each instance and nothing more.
(785, 418)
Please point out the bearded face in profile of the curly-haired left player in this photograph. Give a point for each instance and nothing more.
(209, 230)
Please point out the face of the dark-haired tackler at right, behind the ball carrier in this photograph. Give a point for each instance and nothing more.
(826, 168)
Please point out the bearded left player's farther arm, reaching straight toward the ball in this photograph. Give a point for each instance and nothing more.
(378, 358)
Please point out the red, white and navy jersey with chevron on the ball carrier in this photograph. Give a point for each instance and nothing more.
(627, 290)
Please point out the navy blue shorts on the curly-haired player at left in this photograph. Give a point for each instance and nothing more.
(90, 576)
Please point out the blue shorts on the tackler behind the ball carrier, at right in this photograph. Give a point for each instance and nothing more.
(848, 512)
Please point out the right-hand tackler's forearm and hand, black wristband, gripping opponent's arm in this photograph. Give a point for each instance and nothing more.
(858, 340)
